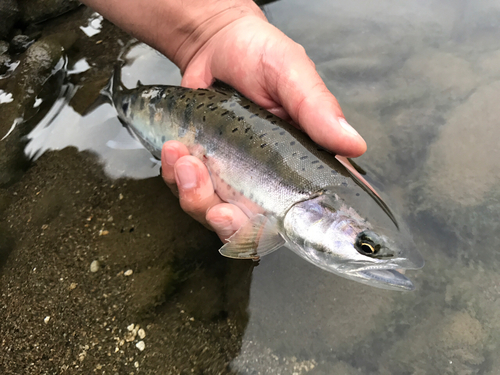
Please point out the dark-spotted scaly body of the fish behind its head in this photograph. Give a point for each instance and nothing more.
(242, 145)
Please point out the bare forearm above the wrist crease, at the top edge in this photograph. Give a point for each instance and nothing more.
(176, 28)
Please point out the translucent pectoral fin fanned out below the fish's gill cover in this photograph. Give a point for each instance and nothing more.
(258, 237)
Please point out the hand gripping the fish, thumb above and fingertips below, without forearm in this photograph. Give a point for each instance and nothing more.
(273, 71)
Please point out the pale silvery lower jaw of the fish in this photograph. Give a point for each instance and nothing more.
(383, 278)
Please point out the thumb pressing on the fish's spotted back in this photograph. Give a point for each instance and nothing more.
(308, 101)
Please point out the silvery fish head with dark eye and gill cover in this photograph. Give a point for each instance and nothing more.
(358, 244)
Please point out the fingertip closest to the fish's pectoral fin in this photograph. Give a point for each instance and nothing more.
(225, 219)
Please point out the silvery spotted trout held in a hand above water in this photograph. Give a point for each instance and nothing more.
(296, 194)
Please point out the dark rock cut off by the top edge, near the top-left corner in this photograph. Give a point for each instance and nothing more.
(40, 10)
